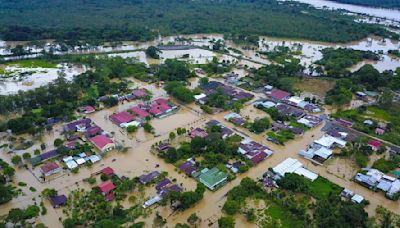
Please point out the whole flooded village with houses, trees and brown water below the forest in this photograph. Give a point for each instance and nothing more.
(169, 132)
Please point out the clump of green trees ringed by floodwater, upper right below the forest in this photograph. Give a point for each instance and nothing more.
(336, 61)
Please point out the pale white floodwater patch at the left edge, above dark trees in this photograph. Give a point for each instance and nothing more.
(36, 77)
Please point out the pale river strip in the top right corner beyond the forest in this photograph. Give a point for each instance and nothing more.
(391, 14)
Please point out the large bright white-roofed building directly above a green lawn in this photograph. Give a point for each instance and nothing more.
(291, 165)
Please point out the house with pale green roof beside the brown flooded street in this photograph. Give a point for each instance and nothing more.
(213, 178)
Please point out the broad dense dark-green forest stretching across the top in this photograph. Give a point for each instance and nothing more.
(92, 20)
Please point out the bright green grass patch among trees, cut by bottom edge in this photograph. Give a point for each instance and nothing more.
(279, 213)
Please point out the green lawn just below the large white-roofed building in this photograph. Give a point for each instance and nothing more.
(321, 187)
